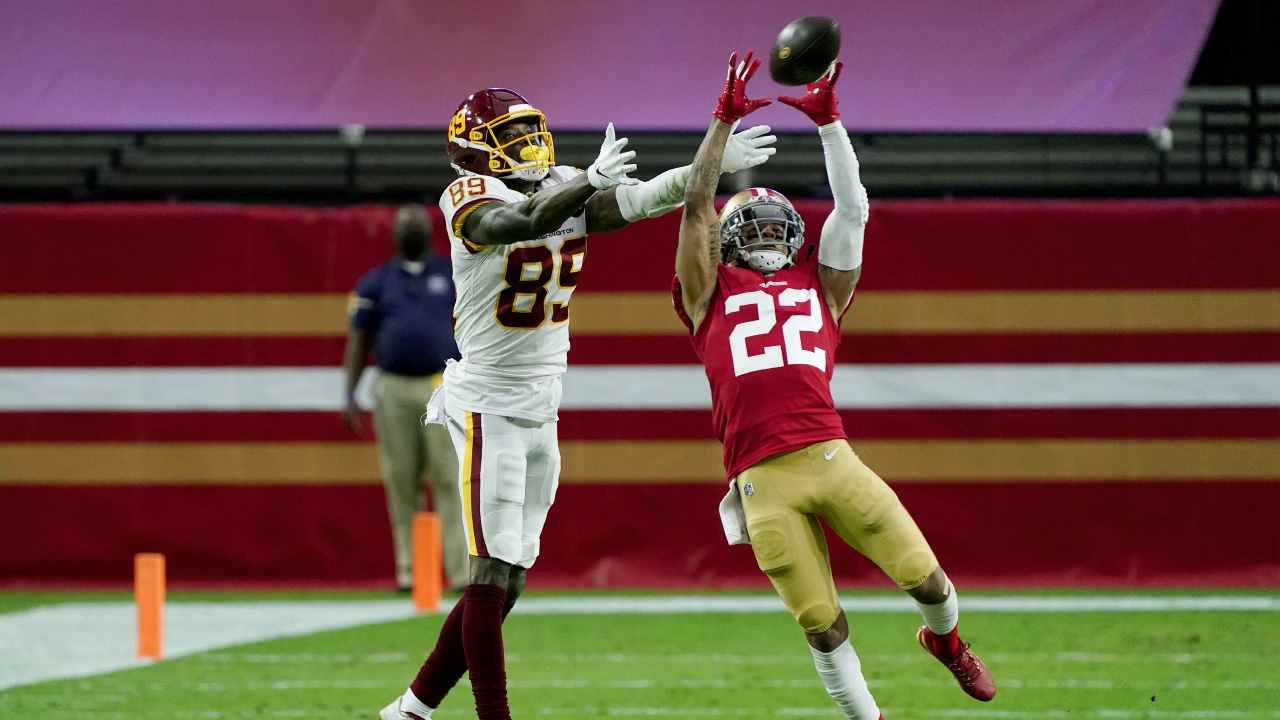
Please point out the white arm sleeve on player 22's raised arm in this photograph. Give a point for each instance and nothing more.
(842, 247)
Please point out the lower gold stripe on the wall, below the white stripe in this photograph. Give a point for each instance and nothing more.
(621, 462)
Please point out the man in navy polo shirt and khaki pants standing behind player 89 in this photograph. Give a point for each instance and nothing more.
(404, 312)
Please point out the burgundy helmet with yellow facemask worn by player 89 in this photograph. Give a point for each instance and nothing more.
(473, 144)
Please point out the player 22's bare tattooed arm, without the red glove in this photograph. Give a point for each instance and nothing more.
(700, 229)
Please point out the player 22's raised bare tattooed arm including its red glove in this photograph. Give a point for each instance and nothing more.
(698, 253)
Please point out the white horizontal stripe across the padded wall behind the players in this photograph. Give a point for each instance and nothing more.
(671, 388)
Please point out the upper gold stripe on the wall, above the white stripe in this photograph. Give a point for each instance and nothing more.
(651, 313)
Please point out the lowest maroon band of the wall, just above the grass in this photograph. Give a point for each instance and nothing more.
(651, 536)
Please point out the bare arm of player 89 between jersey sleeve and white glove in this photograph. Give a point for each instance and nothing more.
(504, 224)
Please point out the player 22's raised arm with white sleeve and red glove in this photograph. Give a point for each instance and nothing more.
(840, 256)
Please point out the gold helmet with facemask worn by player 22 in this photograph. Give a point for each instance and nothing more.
(762, 234)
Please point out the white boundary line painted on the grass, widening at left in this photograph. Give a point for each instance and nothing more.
(88, 639)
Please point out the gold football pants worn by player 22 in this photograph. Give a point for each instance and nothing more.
(785, 495)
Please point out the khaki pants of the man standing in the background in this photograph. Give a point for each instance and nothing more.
(408, 450)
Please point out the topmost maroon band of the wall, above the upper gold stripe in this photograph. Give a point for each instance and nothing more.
(911, 245)
